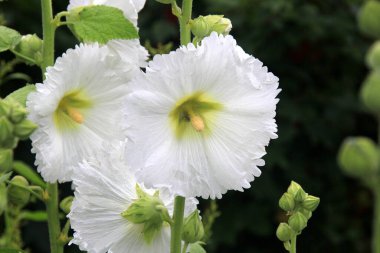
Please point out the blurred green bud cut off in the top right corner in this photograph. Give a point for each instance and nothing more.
(369, 18)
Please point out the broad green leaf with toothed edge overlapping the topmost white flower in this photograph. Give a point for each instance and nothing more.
(101, 23)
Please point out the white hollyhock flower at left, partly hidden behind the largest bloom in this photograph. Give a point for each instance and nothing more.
(77, 108)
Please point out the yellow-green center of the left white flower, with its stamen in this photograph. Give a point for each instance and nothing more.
(71, 109)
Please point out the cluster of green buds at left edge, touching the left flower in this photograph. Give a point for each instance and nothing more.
(13, 127)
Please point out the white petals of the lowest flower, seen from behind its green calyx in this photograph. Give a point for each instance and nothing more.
(105, 188)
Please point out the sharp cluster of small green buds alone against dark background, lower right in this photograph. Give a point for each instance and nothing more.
(299, 207)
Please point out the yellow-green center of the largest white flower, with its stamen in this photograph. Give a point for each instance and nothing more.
(193, 113)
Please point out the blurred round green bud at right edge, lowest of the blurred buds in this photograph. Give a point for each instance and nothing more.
(358, 157)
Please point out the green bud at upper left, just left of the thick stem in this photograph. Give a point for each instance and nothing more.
(31, 47)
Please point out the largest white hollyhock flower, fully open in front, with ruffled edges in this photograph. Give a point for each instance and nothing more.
(200, 118)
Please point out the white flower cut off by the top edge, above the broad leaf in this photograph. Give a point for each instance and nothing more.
(130, 8)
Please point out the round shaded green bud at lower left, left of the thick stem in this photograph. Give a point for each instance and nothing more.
(17, 195)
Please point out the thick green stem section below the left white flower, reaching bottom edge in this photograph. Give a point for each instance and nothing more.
(53, 219)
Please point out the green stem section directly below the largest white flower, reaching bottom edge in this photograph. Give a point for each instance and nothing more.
(176, 228)
